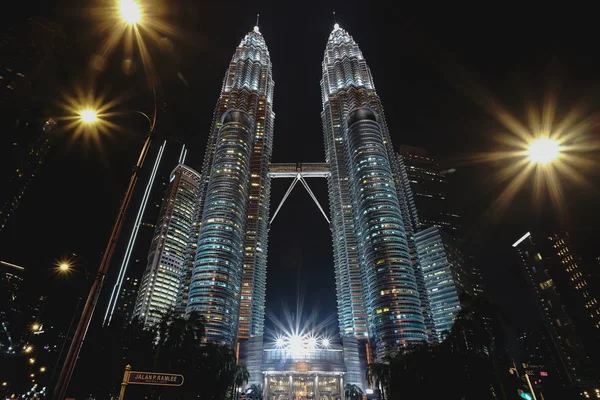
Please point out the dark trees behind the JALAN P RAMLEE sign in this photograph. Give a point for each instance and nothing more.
(175, 345)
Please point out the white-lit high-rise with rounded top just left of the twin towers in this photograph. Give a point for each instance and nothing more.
(166, 262)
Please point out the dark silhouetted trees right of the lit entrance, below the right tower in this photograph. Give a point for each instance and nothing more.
(469, 364)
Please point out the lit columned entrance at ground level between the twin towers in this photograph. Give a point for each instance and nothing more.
(303, 385)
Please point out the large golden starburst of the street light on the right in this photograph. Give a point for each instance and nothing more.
(543, 154)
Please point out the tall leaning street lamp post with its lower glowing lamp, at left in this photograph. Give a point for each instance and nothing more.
(89, 117)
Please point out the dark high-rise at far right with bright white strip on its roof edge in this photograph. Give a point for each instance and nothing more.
(567, 310)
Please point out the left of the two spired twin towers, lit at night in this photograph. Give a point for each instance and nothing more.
(228, 280)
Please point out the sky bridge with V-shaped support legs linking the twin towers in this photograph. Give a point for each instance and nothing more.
(298, 172)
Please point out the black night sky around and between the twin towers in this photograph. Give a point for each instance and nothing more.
(435, 70)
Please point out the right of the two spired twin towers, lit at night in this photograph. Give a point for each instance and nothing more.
(375, 276)
